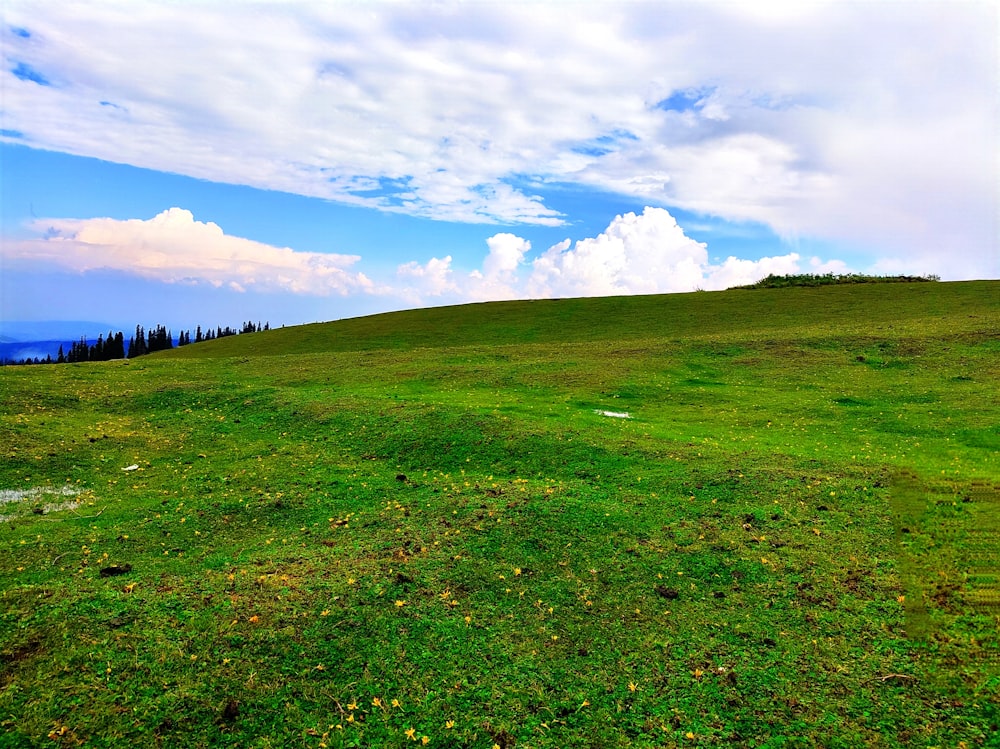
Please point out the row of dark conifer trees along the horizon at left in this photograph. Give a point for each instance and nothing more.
(141, 343)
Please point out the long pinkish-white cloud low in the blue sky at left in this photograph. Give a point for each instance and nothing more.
(173, 247)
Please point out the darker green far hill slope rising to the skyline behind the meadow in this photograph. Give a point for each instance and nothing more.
(812, 311)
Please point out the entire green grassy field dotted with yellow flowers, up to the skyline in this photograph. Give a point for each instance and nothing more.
(748, 518)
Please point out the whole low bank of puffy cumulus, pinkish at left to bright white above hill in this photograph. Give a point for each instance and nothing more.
(637, 253)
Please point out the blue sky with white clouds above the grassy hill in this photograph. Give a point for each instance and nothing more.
(214, 162)
